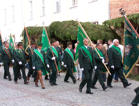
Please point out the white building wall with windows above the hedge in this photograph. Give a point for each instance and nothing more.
(44, 12)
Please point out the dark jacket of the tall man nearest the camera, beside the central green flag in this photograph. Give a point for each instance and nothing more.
(84, 59)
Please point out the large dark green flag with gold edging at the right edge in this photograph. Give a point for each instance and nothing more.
(131, 51)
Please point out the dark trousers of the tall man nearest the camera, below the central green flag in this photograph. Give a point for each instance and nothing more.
(87, 73)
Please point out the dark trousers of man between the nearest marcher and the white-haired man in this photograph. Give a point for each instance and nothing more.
(98, 76)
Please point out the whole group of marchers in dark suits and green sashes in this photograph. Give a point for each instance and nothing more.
(89, 67)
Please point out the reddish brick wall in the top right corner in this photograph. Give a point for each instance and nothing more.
(130, 6)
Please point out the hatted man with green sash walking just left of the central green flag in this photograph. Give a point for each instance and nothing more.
(68, 62)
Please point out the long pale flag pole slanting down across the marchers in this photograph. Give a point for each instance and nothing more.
(93, 47)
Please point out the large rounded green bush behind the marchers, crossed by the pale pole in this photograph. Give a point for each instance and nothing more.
(67, 31)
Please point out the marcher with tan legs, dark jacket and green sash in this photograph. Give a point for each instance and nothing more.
(38, 65)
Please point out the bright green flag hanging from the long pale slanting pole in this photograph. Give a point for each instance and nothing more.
(80, 38)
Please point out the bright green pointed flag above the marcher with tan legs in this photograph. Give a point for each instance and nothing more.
(45, 41)
